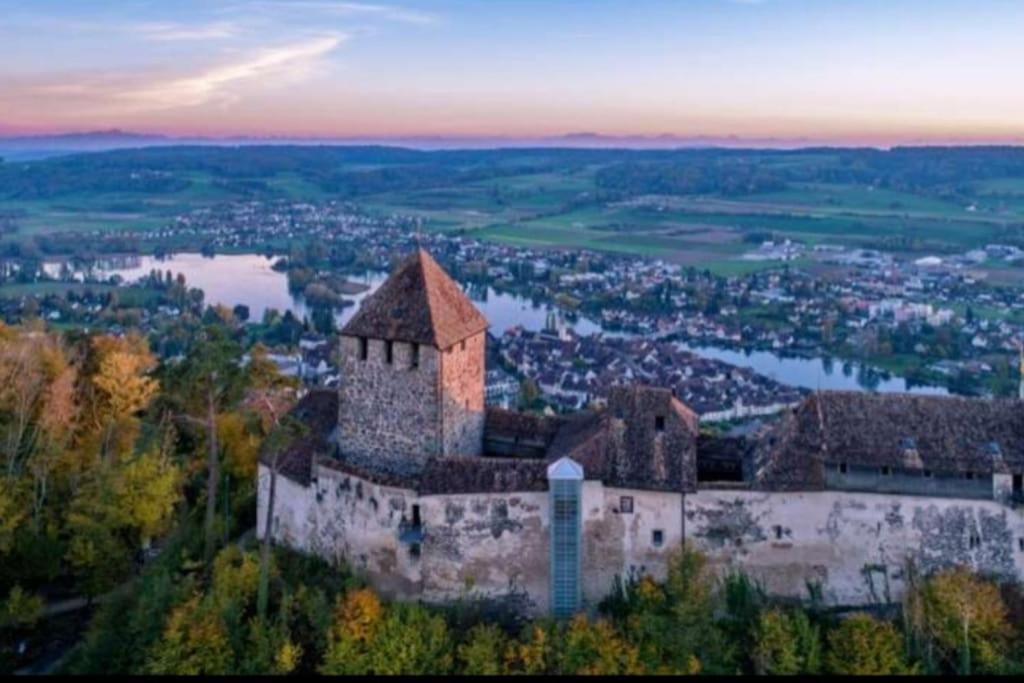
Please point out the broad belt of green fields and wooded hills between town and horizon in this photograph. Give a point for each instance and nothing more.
(704, 208)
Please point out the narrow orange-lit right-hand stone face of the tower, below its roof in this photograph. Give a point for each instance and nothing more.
(462, 370)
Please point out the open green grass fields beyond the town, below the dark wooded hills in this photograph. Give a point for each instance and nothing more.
(545, 210)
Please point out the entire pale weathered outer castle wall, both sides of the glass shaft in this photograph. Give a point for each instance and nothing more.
(856, 546)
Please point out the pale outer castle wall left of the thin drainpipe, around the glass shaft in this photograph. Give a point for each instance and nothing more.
(484, 545)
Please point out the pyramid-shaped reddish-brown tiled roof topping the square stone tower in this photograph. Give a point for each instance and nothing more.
(419, 304)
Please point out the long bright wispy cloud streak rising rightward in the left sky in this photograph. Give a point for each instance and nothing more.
(146, 92)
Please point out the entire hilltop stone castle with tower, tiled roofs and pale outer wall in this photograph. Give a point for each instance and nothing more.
(404, 474)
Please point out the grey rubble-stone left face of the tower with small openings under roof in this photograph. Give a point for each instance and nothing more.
(390, 412)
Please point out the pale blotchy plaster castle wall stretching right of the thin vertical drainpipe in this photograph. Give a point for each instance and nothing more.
(856, 545)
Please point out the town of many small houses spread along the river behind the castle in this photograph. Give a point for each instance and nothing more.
(931, 322)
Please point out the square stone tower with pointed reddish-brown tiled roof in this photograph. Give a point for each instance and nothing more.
(412, 371)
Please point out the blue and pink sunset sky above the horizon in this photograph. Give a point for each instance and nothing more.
(875, 72)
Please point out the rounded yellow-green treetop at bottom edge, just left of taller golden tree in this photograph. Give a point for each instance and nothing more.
(863, 646)
